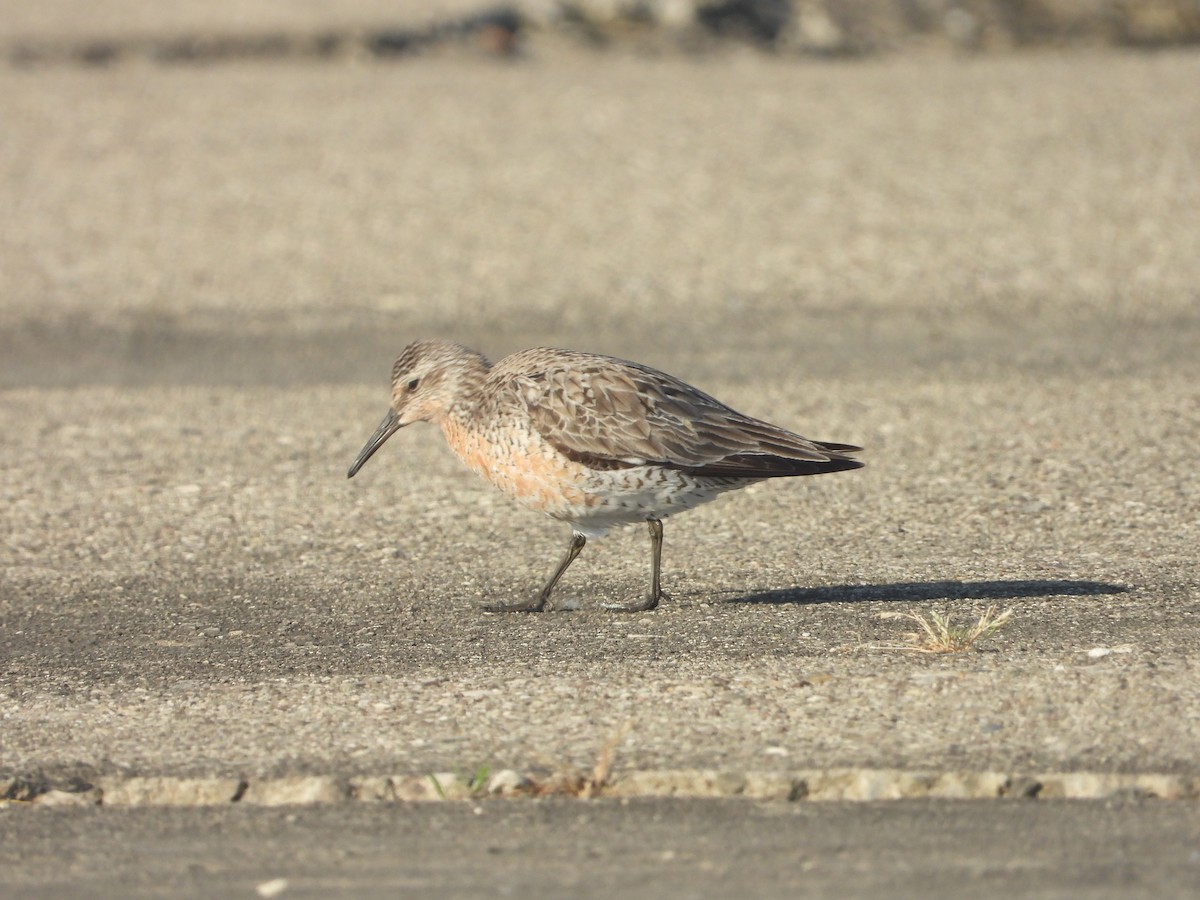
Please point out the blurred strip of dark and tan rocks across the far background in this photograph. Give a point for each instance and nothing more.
(799, 27)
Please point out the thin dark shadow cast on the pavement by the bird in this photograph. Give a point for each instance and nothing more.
(913, 591)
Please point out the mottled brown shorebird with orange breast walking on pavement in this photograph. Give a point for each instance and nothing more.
(593, 441)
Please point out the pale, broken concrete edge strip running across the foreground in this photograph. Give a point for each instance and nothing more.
(815, 785)
